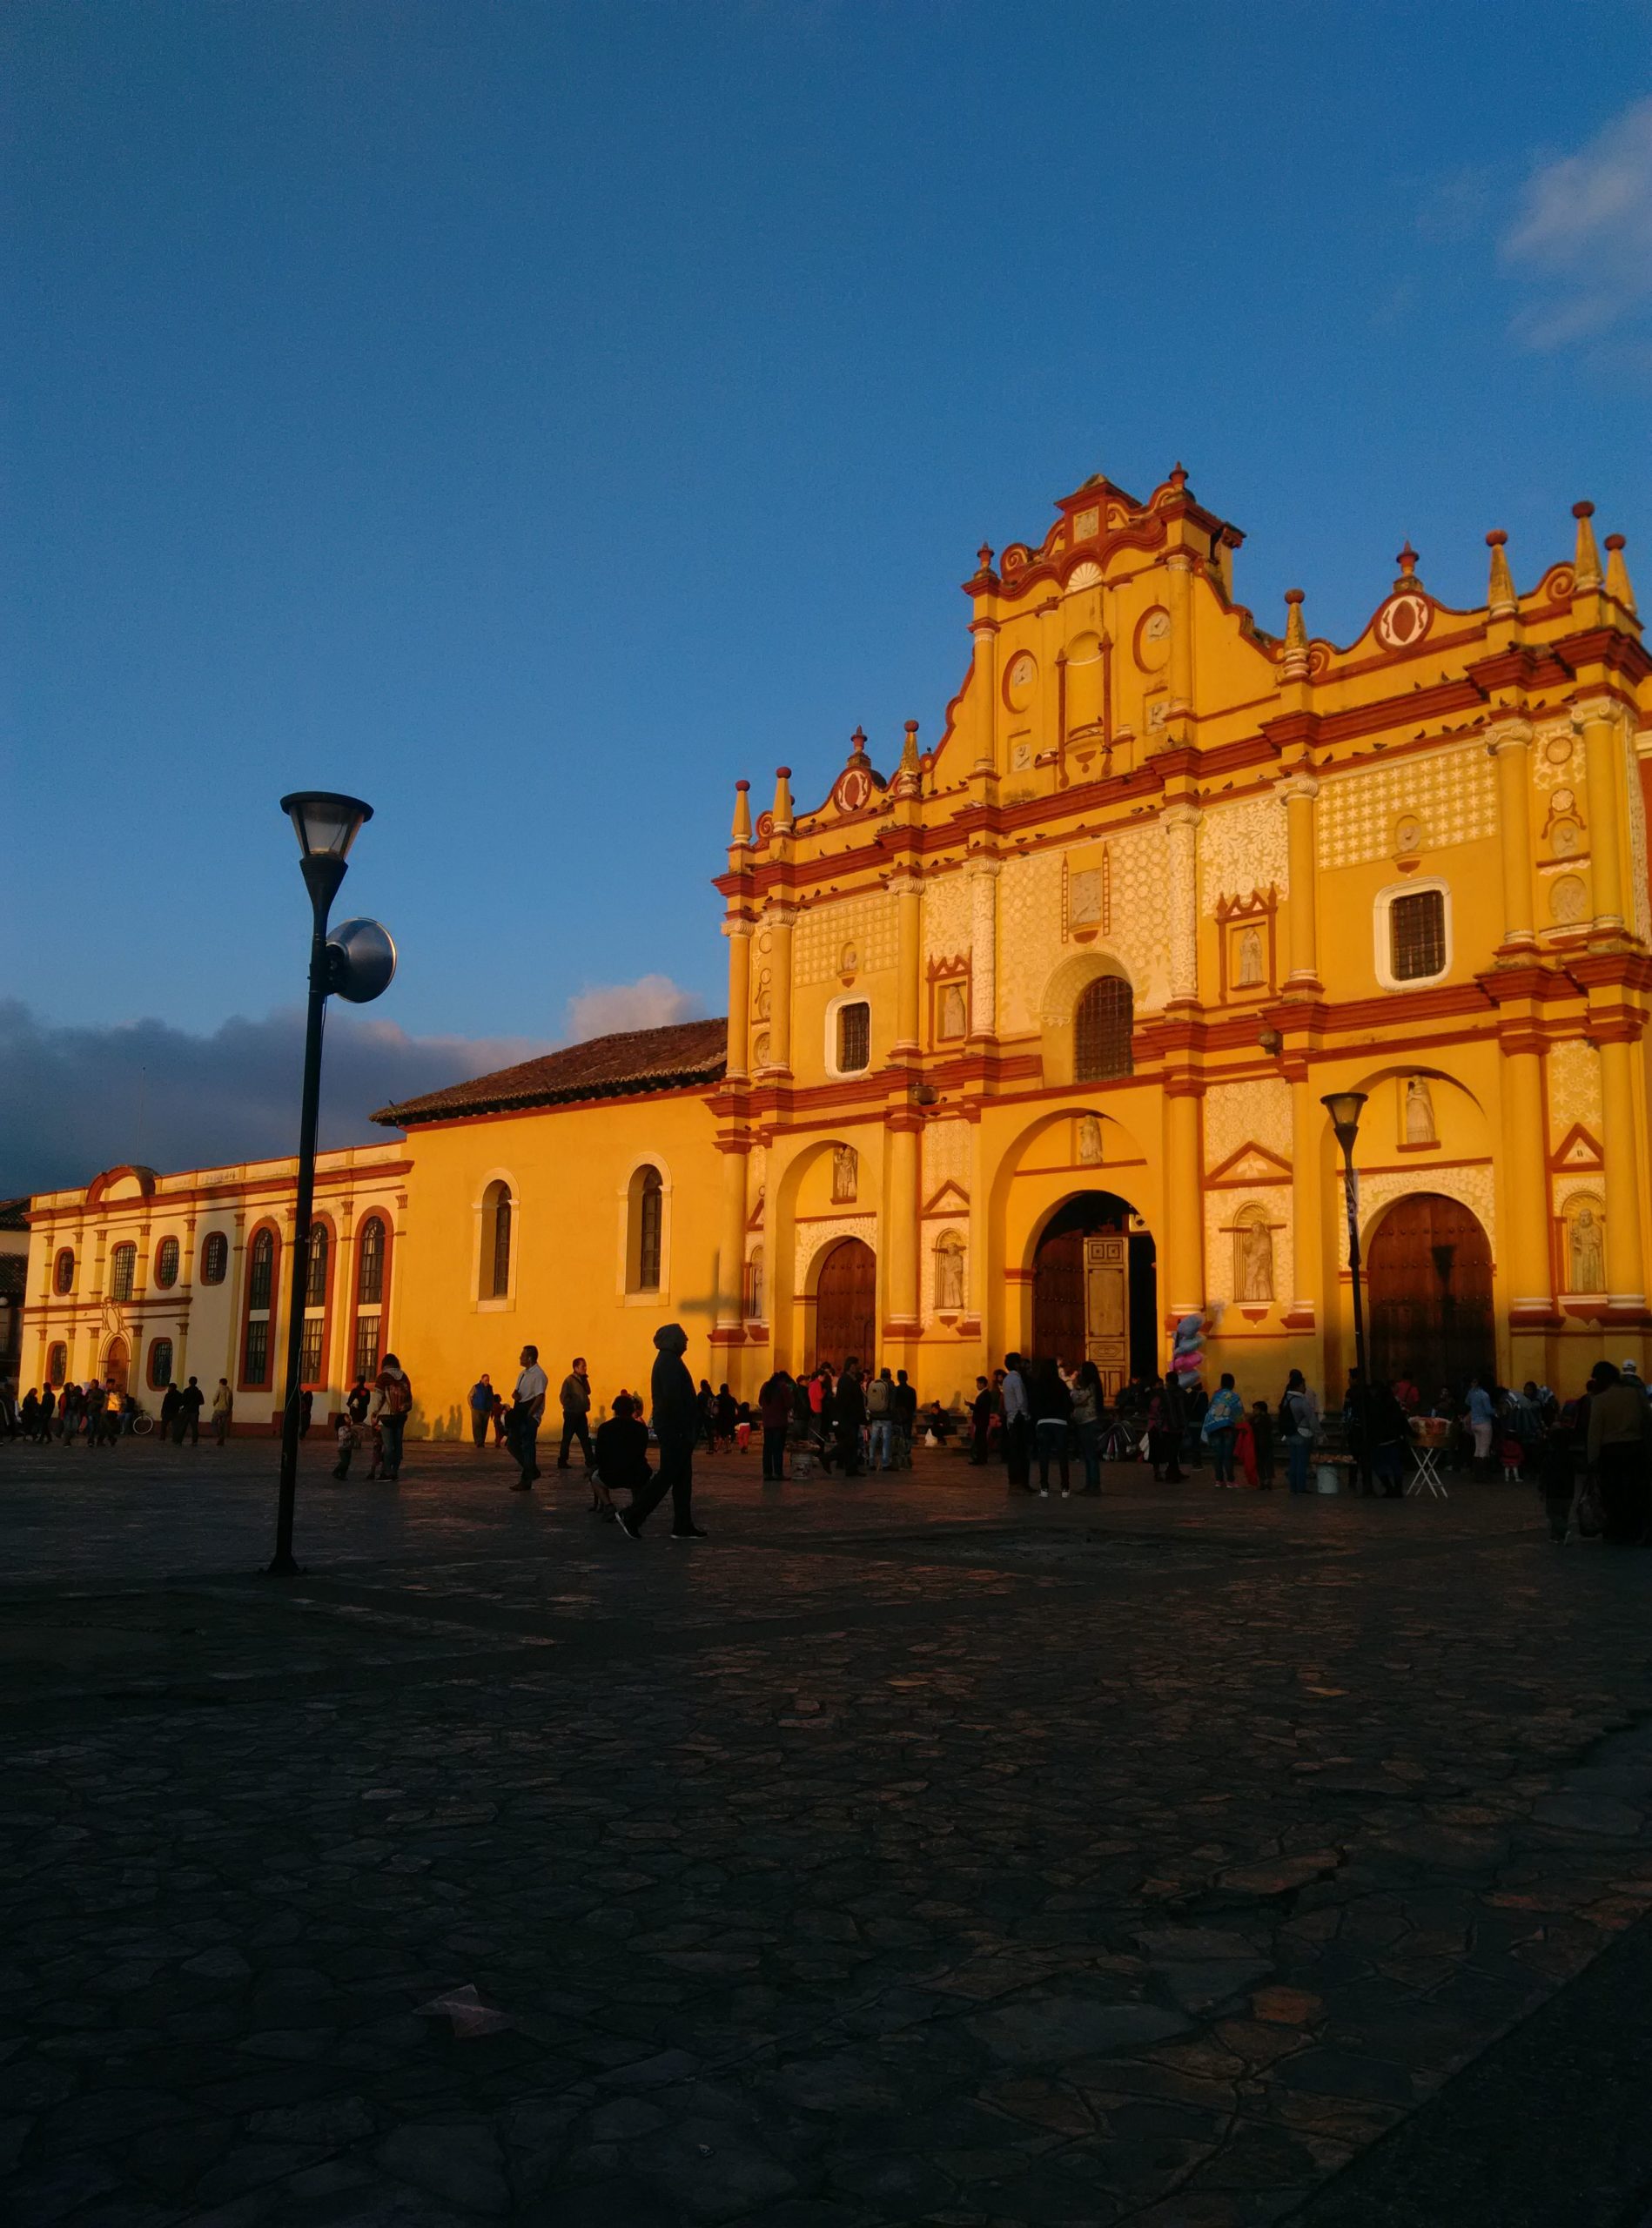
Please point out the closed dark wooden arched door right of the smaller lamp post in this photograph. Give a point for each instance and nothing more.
(1430, 1293)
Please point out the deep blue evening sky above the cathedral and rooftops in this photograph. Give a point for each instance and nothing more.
(536, 418)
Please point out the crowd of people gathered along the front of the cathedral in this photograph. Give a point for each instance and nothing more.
(1591, 1456)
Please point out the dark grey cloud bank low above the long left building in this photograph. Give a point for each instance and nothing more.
(79, 1100)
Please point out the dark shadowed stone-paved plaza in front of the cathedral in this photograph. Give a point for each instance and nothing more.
(900, 1855)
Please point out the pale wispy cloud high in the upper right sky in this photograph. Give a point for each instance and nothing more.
(1584, 237)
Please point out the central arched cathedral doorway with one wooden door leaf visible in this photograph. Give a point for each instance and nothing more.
(1096, 1291)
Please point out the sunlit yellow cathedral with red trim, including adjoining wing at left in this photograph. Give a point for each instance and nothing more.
(1029, 1037)
